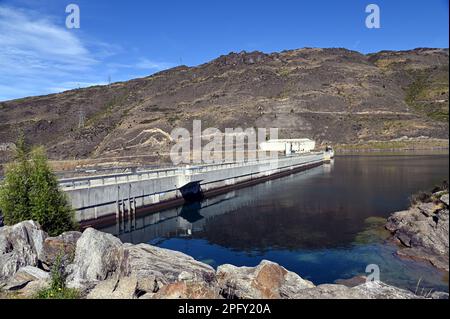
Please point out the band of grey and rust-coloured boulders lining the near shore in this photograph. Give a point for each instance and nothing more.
(99, 265)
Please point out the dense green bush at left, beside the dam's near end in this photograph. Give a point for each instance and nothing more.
(30, 192)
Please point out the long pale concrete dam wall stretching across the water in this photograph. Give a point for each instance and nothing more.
(106, 199)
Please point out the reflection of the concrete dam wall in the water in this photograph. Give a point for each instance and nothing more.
(190, 218)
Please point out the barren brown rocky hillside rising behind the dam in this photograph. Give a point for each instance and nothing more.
(330, 95)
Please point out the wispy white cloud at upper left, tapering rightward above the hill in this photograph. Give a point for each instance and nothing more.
(38, 55)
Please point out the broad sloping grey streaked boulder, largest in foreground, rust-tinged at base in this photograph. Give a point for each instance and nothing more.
(153, 272)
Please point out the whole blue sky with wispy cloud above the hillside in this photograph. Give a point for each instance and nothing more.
(122, 40)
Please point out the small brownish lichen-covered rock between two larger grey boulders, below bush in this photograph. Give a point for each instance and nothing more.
(62, 246)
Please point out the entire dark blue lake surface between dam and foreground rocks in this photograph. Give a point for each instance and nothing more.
(324, 224)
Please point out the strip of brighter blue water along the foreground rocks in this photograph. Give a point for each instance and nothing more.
(321, 266)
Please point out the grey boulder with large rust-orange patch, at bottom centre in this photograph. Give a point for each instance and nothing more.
(266, 281)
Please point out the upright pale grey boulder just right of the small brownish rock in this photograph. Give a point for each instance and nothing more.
(97, 257)
